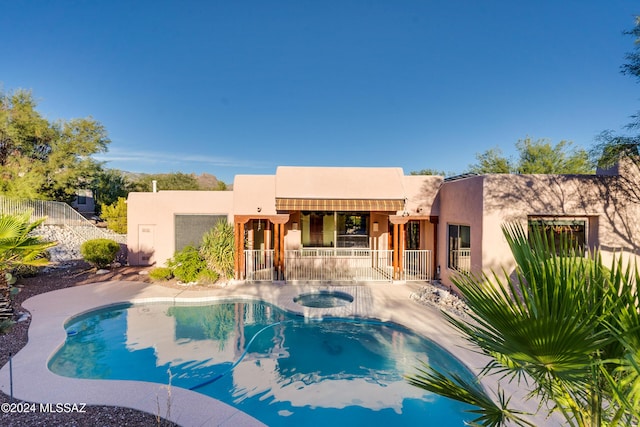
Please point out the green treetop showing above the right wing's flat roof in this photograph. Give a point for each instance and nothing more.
(536, 157)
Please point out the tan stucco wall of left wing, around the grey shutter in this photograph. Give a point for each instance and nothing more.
(151, 215)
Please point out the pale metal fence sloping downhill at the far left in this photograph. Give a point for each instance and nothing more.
(58, 213)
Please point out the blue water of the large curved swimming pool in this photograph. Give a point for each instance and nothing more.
(280, 368)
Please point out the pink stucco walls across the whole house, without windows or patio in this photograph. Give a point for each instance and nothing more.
(484, 203)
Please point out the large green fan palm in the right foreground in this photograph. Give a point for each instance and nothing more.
(565, 325)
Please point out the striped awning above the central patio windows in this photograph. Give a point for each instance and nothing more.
(286, 204)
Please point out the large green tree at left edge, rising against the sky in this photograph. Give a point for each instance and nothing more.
(44, 160)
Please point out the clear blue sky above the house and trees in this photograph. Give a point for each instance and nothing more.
(229, 87)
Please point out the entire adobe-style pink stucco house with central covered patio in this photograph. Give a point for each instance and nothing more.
(378, 224)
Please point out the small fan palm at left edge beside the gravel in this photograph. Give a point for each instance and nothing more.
(17, 247)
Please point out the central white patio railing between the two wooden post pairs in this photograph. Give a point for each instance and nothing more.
(338, 264)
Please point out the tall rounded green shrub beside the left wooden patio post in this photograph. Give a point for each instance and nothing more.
(218, 248)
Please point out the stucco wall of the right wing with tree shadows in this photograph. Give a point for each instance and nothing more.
(489, 201)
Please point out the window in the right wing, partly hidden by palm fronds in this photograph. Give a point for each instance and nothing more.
(559, 230)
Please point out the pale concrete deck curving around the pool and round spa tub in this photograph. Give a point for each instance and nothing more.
(34, 382)
